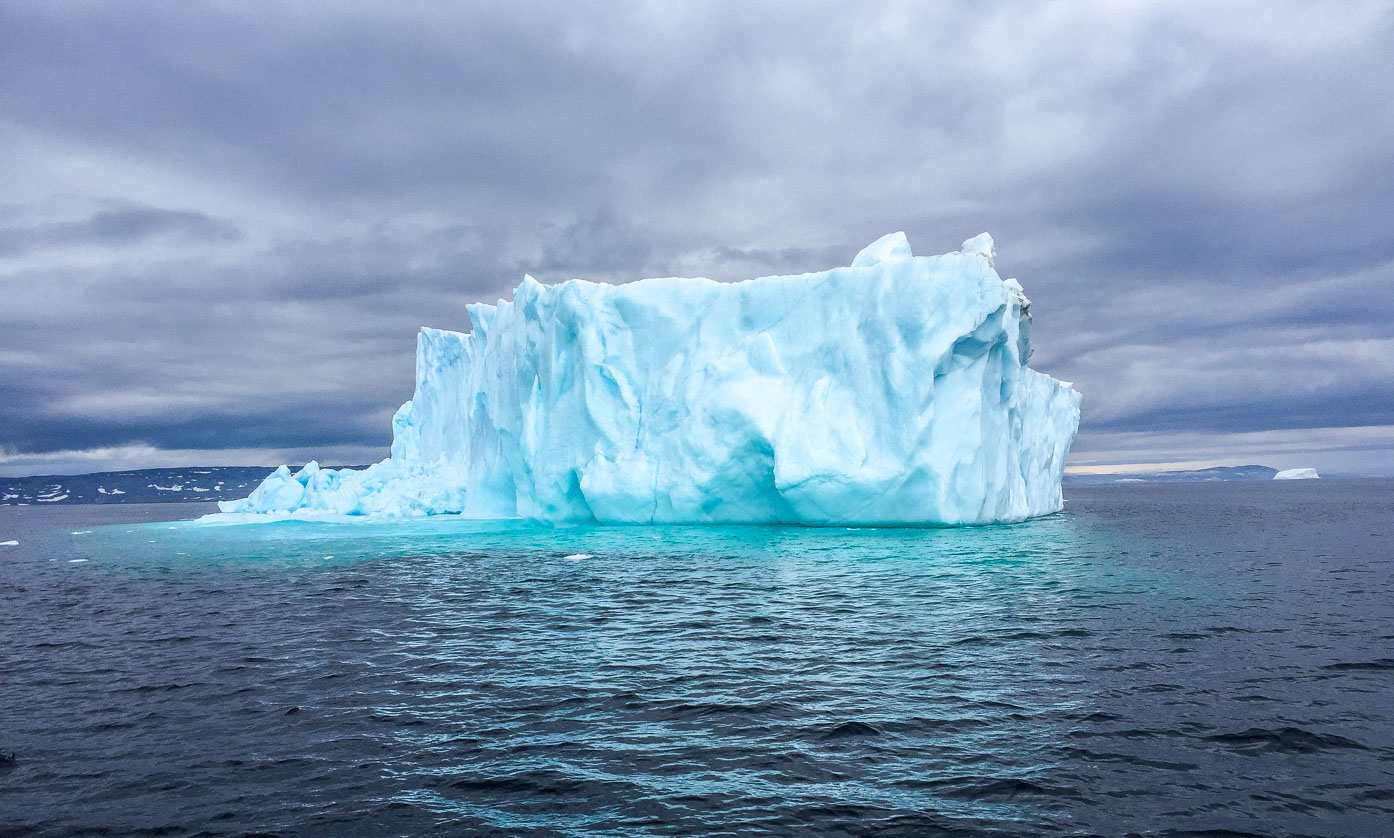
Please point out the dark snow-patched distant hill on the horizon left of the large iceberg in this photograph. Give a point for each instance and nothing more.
(144, 486)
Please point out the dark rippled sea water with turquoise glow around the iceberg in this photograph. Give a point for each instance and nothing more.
(1159, 660)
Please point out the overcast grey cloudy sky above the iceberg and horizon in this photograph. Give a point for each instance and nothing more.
(222, 224)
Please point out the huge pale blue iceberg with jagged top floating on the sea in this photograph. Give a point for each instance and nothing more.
(891, 393)
